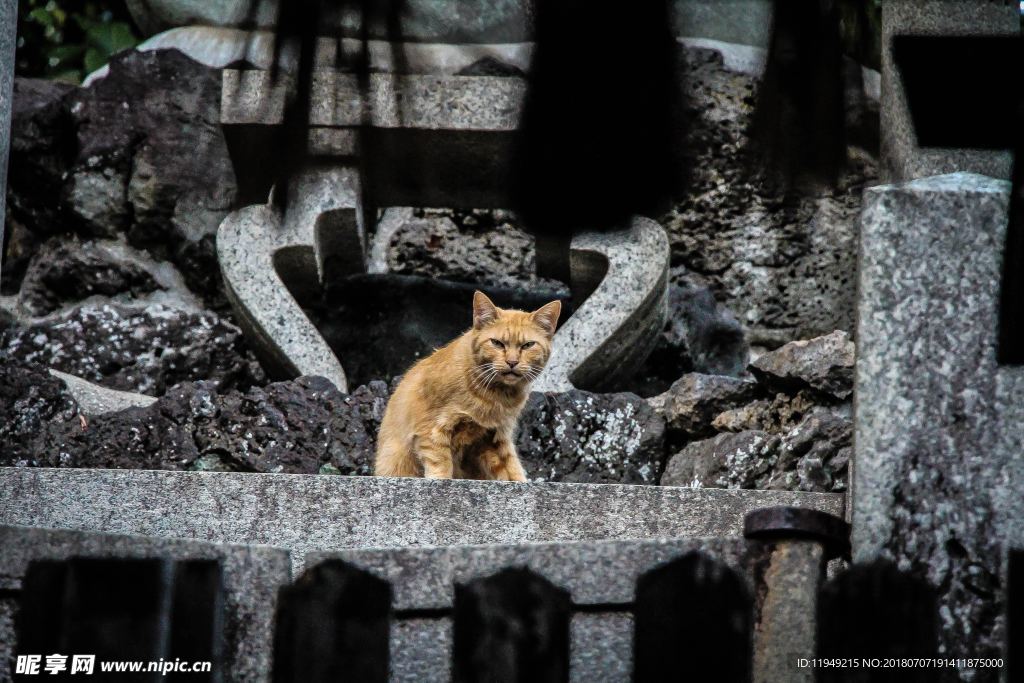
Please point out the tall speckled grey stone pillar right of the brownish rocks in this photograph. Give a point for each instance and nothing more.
(940, 424)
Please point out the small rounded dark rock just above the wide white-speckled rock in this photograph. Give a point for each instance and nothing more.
(69, 271)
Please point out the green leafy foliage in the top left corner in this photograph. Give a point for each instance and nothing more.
(68, 39)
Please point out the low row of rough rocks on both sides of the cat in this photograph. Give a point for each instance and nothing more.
(788, 430)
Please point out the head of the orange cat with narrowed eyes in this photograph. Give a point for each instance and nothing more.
(510, 348)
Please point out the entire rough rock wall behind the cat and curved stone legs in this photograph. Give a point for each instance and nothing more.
(110, 274)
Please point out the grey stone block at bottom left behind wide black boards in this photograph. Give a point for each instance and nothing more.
(251, 579)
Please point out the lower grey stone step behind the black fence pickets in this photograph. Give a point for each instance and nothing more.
(601, 578)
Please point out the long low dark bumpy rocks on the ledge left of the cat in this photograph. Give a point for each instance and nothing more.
(302, 426)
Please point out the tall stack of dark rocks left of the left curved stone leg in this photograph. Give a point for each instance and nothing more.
(116, 194)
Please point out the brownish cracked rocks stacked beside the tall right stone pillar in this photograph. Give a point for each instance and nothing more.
(788, 430)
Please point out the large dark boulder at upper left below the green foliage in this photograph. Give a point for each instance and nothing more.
(157, 172)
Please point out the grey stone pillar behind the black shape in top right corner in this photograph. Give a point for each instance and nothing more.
(902, 158)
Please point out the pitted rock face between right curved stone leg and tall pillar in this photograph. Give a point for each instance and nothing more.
(786, 270)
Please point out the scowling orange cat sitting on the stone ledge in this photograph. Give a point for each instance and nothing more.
(454, 414)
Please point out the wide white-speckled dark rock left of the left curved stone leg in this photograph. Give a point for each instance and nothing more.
(146, 351)
